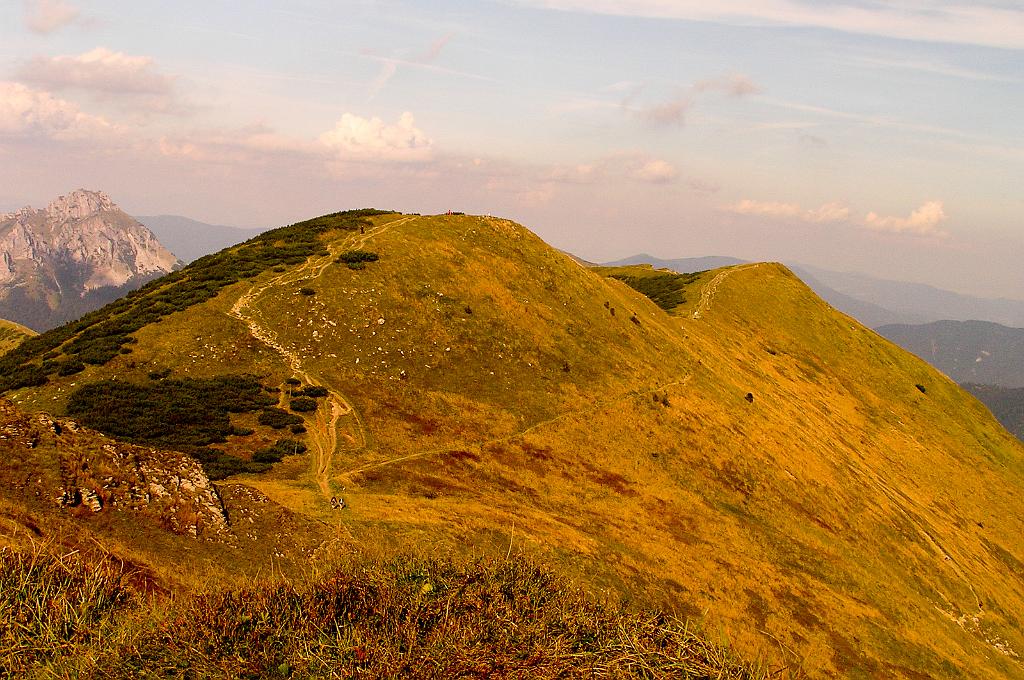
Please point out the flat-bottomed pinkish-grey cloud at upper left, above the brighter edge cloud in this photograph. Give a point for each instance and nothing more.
(100, 70)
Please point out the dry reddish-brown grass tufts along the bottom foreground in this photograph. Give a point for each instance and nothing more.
(402, 617)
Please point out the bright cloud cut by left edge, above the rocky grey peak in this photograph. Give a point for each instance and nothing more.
(29, 113)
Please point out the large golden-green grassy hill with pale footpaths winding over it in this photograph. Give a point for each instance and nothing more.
(829, 500)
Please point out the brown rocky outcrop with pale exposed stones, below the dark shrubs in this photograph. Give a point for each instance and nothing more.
(97, 475)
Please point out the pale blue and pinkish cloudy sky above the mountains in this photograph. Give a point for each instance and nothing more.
(863, 136)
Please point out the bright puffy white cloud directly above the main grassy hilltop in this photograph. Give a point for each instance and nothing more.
(357, 139)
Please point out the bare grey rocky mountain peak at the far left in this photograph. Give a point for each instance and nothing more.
(77, 254)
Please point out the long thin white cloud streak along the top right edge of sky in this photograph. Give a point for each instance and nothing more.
(956, 22)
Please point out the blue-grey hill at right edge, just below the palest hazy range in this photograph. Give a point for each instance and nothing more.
(967, 352)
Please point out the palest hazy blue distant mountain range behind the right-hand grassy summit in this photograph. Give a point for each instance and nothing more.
(874, 303)
